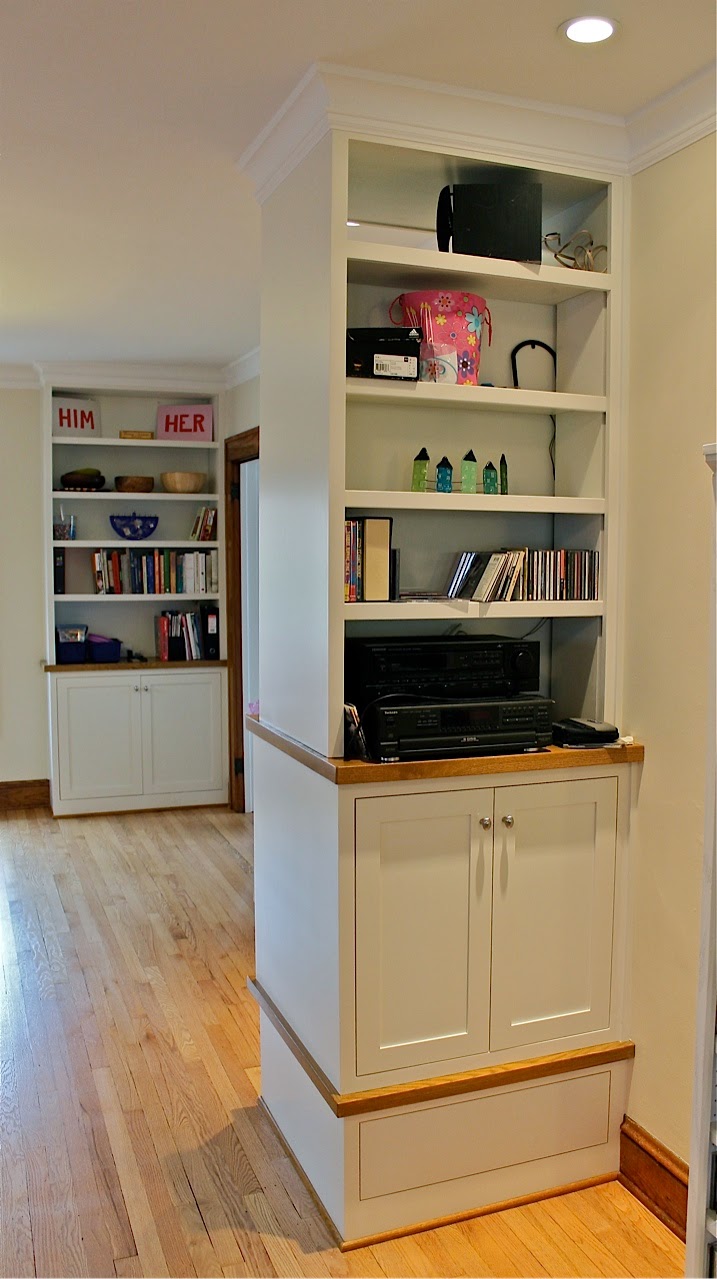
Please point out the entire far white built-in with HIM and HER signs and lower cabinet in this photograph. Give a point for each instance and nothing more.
(132, 735)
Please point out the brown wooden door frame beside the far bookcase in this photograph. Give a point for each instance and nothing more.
(237, 451)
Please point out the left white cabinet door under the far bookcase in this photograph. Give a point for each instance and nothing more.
(99, 736)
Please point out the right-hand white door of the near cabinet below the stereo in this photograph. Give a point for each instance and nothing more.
(554, 878)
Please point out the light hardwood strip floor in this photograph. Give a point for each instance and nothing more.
(131, 1139)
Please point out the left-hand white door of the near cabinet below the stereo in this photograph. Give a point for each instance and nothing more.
(424, 928)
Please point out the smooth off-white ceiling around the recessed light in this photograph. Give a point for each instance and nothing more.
(127, 231)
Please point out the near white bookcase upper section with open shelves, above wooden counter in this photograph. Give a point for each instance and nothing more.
(347, 446)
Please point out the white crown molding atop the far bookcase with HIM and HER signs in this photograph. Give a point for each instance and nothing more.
(107, 375)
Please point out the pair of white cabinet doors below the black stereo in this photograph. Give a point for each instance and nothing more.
(485, 920)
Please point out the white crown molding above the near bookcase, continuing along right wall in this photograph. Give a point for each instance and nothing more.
(466, 122)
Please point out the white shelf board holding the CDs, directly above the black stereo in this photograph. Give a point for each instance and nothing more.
(456, 611)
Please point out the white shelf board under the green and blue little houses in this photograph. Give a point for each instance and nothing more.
(358, 499)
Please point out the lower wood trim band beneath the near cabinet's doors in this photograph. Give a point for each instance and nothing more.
(440, 1087)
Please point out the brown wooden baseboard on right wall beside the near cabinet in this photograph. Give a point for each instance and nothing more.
(655, 1176)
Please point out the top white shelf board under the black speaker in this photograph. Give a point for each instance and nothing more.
(512, 282)
